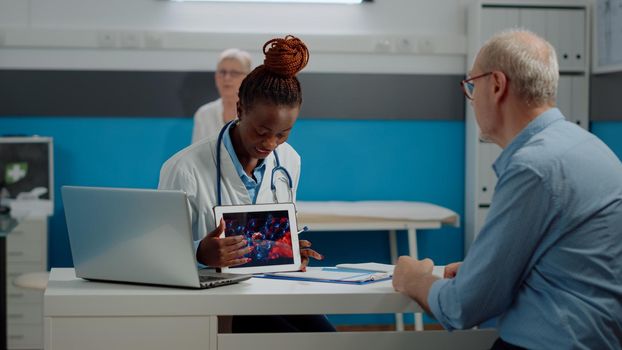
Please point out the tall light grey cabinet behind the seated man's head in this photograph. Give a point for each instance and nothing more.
(565, 24)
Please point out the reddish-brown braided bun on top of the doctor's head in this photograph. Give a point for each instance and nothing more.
(285, 57)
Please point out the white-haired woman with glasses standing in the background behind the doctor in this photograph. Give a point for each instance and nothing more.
(233, 66)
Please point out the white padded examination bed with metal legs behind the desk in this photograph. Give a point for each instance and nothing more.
(378, 216)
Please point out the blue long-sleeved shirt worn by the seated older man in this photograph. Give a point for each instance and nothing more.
(548, 260)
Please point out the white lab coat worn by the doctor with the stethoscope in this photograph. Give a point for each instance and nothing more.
(193, 170)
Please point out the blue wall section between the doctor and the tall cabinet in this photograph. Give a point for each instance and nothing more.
(383, 160)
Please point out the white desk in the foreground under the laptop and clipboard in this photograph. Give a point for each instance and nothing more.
(88, 315)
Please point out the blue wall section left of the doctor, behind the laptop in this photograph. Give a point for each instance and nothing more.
(121, 152)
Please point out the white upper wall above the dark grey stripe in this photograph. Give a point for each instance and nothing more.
(401, 36)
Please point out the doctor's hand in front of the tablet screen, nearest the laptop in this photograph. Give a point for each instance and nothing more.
(222, 252)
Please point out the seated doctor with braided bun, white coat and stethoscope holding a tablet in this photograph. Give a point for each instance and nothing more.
(239, 166)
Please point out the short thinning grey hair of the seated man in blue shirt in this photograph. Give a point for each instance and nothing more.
(529, 62)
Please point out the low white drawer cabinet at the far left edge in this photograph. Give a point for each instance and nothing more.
(26, 252)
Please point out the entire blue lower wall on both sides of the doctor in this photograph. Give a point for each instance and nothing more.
(342, 160)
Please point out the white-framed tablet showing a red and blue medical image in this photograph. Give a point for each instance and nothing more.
(270, 229)
